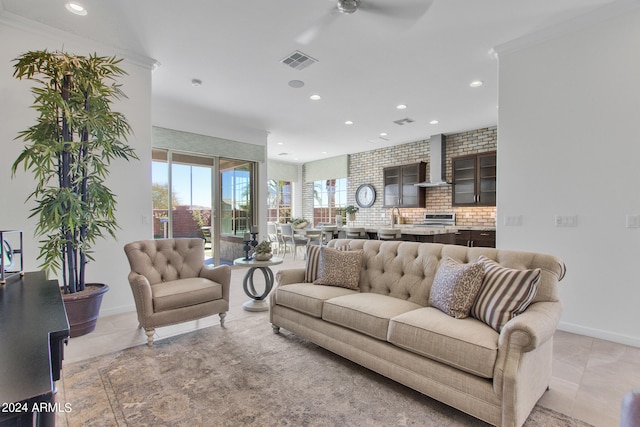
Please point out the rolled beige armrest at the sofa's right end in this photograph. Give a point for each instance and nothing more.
(532, 328)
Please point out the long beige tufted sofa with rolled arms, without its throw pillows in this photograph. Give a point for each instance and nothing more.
(388, 326)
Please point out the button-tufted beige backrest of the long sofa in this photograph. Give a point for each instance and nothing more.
(406, 269)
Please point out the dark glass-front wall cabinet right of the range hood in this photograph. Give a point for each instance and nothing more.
(474, 180)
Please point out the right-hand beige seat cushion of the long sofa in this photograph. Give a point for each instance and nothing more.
(465, 344)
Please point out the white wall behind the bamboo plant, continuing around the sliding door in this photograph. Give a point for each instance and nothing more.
(130, 182)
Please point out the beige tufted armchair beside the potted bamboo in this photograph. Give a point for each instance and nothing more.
(171, 284)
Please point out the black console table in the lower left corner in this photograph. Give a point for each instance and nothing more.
(33, 330)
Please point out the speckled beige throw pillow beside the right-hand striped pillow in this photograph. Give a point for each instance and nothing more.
(455, 287)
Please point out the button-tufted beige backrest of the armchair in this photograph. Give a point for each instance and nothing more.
(165, 260)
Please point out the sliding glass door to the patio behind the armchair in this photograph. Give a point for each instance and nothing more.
(188, 192)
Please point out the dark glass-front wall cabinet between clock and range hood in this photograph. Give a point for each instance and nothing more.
(399, 188)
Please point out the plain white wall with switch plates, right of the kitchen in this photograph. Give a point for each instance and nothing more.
(569, 144)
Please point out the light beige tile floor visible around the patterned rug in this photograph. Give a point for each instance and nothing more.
(590, 375)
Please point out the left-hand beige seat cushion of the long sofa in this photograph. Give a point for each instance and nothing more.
(307, 297)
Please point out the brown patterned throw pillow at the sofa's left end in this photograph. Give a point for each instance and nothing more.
(339, 268)
